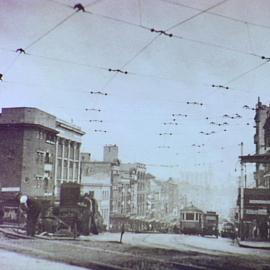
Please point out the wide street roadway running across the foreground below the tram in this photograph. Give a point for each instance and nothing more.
(144, 251)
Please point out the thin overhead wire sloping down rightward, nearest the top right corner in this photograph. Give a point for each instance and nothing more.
(217, 14)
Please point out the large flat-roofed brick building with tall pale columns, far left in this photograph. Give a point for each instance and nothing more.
(38, 151)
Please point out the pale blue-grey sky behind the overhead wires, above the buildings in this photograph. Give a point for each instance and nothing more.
(213, 43)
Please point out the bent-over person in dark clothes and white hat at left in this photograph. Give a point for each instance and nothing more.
(32, 208)
